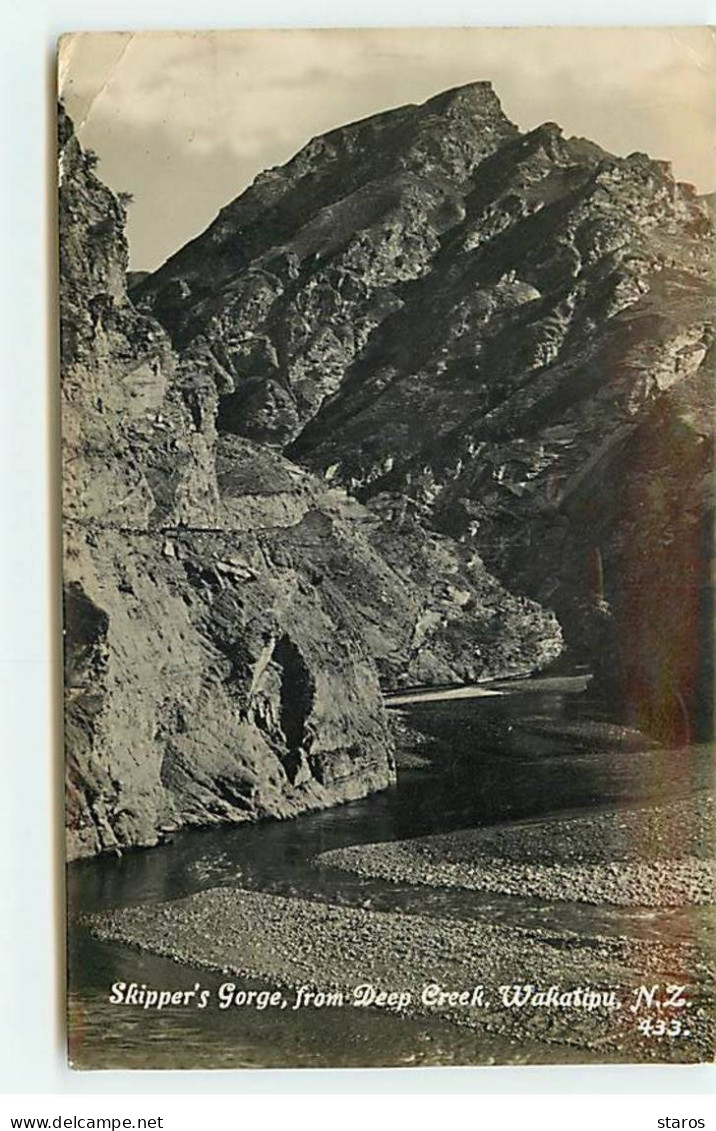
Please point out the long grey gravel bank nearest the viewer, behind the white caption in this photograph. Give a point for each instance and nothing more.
(288, 943)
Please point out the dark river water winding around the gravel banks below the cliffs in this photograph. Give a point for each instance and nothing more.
(515, 758)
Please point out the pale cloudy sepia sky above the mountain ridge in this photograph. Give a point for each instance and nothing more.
(186, 120)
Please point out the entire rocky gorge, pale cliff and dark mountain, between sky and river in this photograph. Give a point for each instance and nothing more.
(430, 404)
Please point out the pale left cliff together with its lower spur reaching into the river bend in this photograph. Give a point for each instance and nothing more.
(229, 615)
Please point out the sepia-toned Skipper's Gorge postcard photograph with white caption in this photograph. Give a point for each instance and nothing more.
(387, 410)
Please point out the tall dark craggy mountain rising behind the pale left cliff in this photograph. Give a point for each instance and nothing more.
(504, 340)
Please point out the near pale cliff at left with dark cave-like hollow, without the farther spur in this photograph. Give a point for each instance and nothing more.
(209, 677)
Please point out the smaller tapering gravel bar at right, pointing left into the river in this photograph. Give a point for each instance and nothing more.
(651, 857)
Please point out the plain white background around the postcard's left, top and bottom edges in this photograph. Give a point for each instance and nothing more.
(31, 896)
